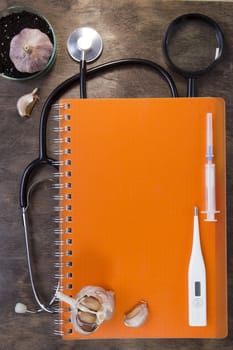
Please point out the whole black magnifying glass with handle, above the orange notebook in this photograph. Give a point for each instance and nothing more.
(192, 45)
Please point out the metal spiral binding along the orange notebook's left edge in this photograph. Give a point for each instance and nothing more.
(63, 213)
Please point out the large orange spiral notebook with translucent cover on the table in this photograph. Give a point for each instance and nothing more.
(133, 170)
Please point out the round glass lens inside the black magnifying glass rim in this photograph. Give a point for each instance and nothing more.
(193, 45)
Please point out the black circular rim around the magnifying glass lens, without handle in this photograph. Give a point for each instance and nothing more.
(170, 30)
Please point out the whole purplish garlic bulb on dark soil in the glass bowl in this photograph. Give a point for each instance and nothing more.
(30, 50)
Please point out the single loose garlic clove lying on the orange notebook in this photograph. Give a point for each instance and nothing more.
(137, 316)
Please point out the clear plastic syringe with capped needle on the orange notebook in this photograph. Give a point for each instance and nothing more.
(210, 172)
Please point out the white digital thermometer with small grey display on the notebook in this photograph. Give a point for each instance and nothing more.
(196, 280)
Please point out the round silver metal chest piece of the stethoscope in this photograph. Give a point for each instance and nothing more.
(84, 43)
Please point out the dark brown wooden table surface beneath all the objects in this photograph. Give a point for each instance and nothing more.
(128, 29)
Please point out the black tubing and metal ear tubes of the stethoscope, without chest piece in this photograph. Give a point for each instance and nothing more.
(43, 158)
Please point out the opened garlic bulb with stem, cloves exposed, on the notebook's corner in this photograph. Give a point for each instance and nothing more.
(91, 307)
